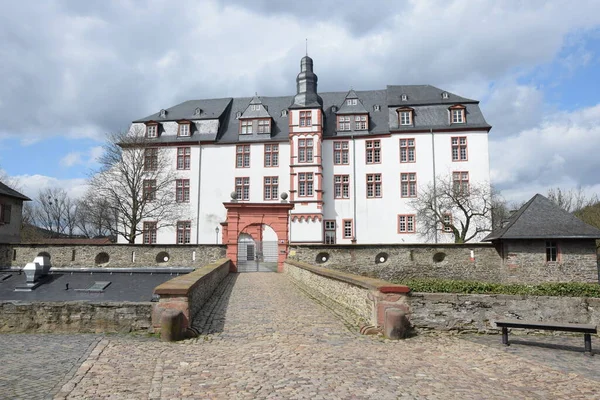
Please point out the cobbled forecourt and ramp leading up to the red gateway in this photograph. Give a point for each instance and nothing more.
(263, 338)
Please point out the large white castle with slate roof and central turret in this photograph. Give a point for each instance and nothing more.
(350, 162)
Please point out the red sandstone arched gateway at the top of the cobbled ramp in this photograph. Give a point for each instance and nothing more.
(256, 235)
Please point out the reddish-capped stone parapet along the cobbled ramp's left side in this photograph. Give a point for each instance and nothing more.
(188, 293)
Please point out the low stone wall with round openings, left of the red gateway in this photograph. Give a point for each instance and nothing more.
(118, 255)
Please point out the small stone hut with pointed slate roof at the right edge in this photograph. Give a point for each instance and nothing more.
(543, 239)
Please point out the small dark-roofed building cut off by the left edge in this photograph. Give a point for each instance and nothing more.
(11, 206)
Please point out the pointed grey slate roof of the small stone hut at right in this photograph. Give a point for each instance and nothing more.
(540, 218)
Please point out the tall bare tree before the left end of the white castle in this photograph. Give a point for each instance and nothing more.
(137, 181)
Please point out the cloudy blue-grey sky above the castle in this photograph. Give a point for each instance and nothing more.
(73, 71)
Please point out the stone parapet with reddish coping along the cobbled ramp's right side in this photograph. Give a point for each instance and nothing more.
(365, 298)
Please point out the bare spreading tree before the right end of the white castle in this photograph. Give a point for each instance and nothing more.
(454, 207)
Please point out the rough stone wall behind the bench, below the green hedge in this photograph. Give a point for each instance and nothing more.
(476, 312)
